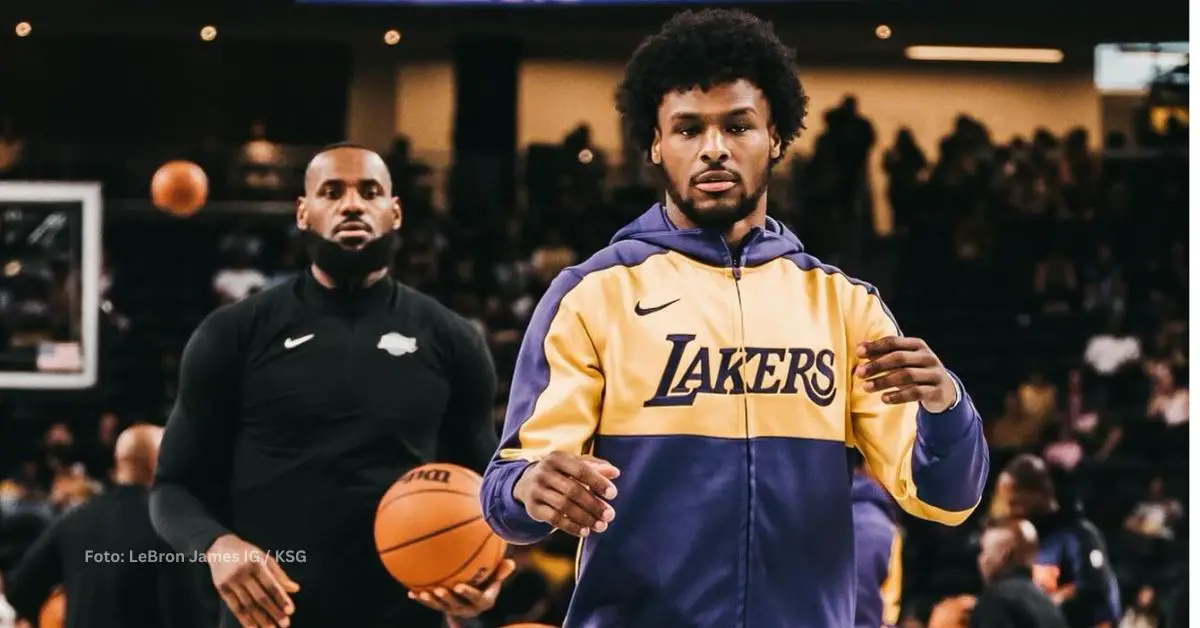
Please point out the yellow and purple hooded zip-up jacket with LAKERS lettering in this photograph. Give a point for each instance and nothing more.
(721, 384)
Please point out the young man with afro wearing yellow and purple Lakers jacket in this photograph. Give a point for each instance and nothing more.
(685, 399)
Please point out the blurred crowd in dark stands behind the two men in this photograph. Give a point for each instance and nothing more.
(1051, 277)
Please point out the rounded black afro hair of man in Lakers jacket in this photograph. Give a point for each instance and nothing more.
(706, 49)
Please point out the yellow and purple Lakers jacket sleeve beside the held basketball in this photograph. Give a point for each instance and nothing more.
(554, 405)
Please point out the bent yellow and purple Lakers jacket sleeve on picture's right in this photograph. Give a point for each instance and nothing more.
(934, 465)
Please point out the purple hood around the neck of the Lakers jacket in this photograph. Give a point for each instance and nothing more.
(763, 246)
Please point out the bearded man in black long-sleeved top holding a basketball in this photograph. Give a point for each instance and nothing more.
(302, 405)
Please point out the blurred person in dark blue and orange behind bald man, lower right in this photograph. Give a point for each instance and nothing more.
(1072, 560)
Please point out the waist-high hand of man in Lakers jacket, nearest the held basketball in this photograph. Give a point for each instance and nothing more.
(569, 493)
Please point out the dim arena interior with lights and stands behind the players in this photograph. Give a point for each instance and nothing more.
(1049, 198)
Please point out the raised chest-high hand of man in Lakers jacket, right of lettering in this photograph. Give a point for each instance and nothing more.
(909, 372)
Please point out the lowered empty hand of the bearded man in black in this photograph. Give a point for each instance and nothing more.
(251, 584)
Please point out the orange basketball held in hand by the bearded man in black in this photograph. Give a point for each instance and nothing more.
(430, 530)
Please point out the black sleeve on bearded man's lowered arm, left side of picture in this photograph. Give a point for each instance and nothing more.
(193, 477)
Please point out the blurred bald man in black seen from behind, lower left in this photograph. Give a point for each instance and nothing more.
(113, 567)
